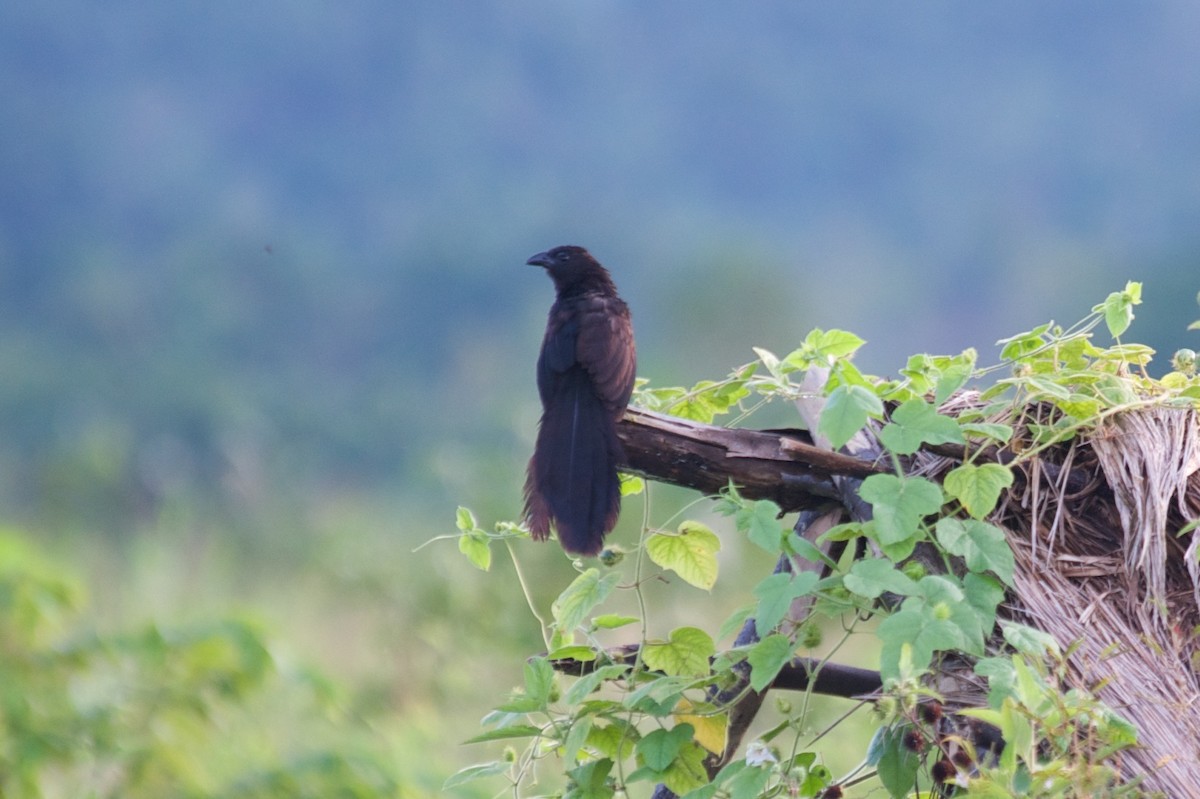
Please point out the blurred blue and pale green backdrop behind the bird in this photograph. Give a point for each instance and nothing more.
(265, 319)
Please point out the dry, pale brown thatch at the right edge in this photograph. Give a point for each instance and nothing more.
(1103, 570)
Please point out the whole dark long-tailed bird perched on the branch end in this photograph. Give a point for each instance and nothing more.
(585, 379)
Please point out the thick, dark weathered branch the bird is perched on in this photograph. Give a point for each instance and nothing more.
(782, 466)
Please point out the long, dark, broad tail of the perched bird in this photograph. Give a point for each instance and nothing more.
(573, 480)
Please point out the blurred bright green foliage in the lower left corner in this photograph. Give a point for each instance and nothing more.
(191, 710)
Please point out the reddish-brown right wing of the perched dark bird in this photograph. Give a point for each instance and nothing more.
(605, 349)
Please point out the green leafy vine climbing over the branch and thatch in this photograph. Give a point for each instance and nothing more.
(662, 716)
